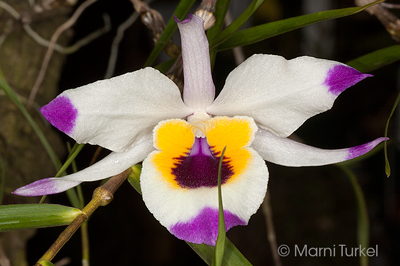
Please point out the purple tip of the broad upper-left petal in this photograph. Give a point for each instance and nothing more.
(61, 113)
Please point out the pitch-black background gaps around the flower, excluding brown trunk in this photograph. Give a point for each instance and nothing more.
(313, 206)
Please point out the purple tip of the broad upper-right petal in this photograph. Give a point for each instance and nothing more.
(341, 77)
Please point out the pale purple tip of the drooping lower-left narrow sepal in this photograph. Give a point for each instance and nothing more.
(39, 188)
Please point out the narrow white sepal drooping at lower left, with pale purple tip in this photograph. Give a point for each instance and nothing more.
(113, 164)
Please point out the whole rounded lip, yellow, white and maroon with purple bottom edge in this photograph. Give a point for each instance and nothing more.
(185, 202)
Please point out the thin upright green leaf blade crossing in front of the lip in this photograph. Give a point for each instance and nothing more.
(220, 245)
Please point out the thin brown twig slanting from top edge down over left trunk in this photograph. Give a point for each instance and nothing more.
(50, 50)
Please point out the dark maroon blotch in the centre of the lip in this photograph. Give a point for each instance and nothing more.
(200, 167)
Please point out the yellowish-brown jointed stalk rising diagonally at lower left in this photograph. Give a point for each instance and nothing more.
(102, 196)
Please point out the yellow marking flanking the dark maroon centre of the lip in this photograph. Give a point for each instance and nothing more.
(175, 138)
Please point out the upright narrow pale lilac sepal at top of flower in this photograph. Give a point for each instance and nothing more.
(199, 90)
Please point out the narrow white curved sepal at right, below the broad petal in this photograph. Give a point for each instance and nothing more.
(287, 152)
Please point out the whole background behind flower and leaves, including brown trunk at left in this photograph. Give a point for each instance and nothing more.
(313, 206)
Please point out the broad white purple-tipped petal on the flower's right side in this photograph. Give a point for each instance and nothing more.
(281, 94)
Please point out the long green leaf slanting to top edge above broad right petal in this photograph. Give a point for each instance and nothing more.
(268, 30)
